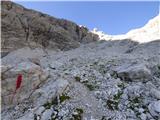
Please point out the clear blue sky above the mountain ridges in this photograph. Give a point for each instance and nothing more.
(111, 17)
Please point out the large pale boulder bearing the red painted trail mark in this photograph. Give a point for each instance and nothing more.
(32, 77)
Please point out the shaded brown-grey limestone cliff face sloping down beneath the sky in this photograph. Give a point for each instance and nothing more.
(23, 27)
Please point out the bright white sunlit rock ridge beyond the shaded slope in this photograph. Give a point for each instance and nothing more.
(148, 33)
